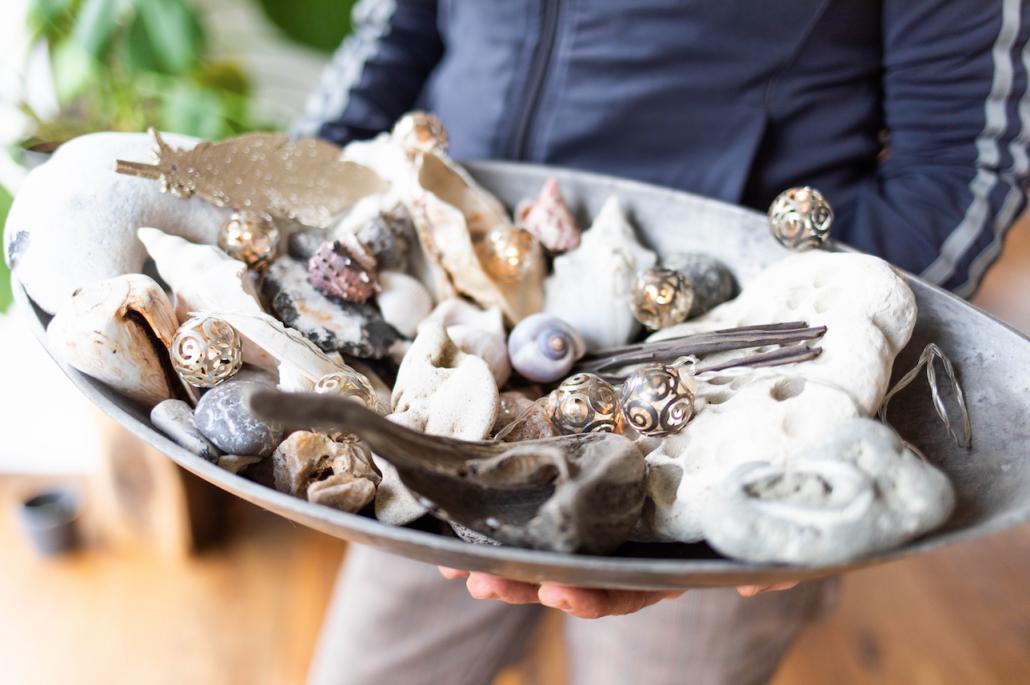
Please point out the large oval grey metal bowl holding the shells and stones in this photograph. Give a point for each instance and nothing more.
(992, 479)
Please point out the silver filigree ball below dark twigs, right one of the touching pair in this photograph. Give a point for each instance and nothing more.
(657, 401)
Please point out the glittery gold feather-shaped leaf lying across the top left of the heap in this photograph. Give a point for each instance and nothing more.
(265, 174)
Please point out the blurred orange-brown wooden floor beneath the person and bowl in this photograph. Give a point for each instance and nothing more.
(250, 613)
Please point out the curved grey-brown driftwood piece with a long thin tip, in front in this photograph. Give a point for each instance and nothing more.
(570, 494)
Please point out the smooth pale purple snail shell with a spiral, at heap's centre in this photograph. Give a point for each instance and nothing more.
(543, 349)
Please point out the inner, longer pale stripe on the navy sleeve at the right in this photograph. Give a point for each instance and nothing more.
(988, 151)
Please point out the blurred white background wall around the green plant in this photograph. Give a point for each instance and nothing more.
(46, 425)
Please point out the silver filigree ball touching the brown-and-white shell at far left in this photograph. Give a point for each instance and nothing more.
(207, 352)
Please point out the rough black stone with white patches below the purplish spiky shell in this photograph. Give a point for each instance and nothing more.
(356, 330)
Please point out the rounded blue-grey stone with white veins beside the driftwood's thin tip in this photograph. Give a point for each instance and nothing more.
(224, 418)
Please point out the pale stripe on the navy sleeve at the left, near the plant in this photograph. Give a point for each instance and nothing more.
(371, 21)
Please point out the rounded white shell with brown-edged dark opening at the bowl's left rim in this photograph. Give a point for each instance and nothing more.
(119, 331)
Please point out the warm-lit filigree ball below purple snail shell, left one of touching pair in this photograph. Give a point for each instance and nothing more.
(585, 403)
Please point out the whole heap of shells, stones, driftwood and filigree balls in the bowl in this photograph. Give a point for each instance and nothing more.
(413, 314)
